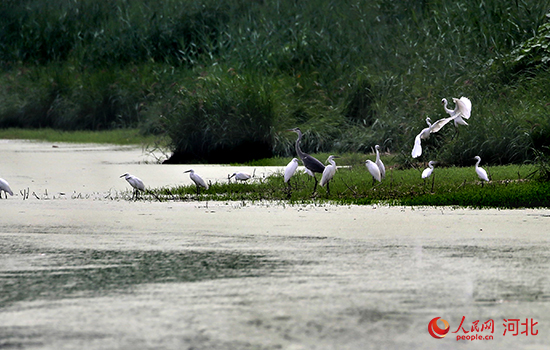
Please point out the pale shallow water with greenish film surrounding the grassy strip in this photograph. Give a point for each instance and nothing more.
(107, 274)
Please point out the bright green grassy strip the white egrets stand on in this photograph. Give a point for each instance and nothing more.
(511, 186)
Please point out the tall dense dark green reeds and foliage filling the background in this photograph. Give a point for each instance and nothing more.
(223, 80)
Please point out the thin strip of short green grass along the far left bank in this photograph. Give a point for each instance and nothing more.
(116, 136)
